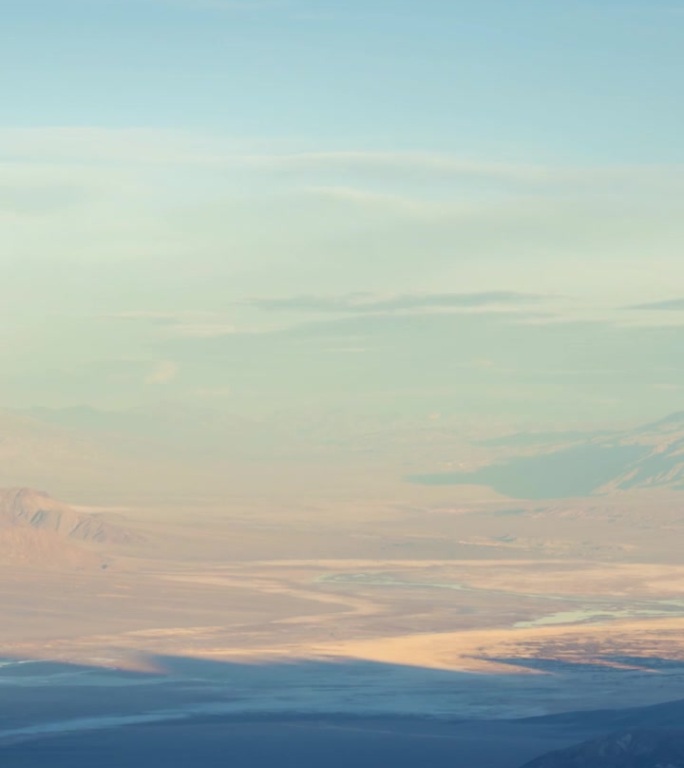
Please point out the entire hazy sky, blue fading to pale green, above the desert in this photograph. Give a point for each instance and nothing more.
(436, 209)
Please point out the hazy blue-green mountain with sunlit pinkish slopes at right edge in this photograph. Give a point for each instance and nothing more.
(564, 465)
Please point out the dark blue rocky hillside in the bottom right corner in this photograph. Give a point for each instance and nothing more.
(632, 749)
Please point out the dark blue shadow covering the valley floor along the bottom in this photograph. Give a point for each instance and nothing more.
(187, 712)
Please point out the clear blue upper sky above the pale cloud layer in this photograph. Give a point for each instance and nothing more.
(581, 81)
